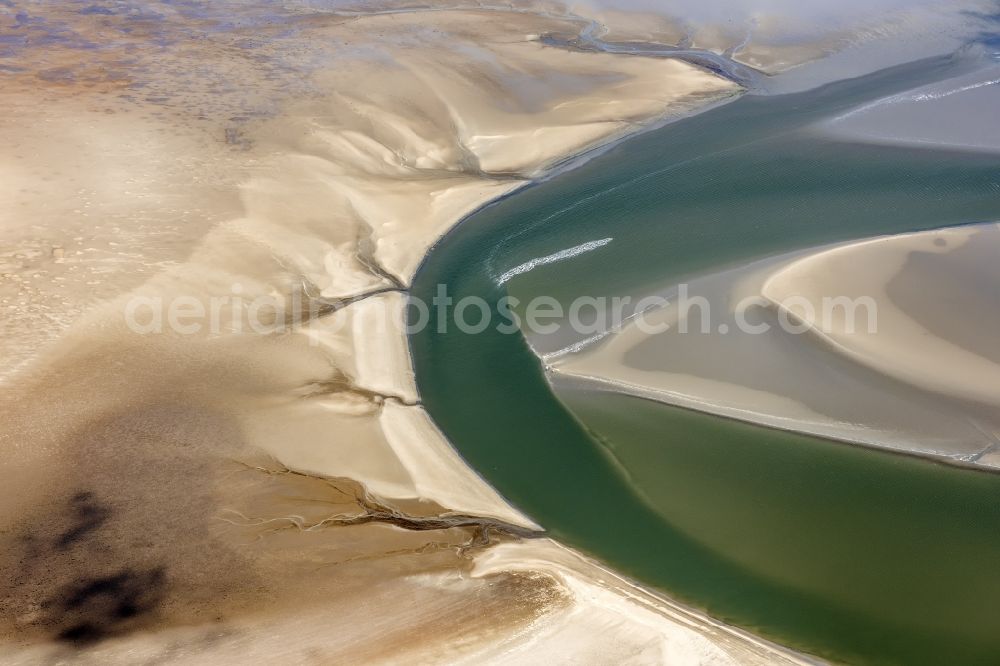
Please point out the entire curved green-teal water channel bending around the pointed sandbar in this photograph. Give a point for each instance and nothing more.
(849, 554)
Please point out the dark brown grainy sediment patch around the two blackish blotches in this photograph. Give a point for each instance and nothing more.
(118, 539)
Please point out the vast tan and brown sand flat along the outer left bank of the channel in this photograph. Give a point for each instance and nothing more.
(221, 493)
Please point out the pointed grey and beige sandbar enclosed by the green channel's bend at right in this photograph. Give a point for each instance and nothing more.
(920, 380)
